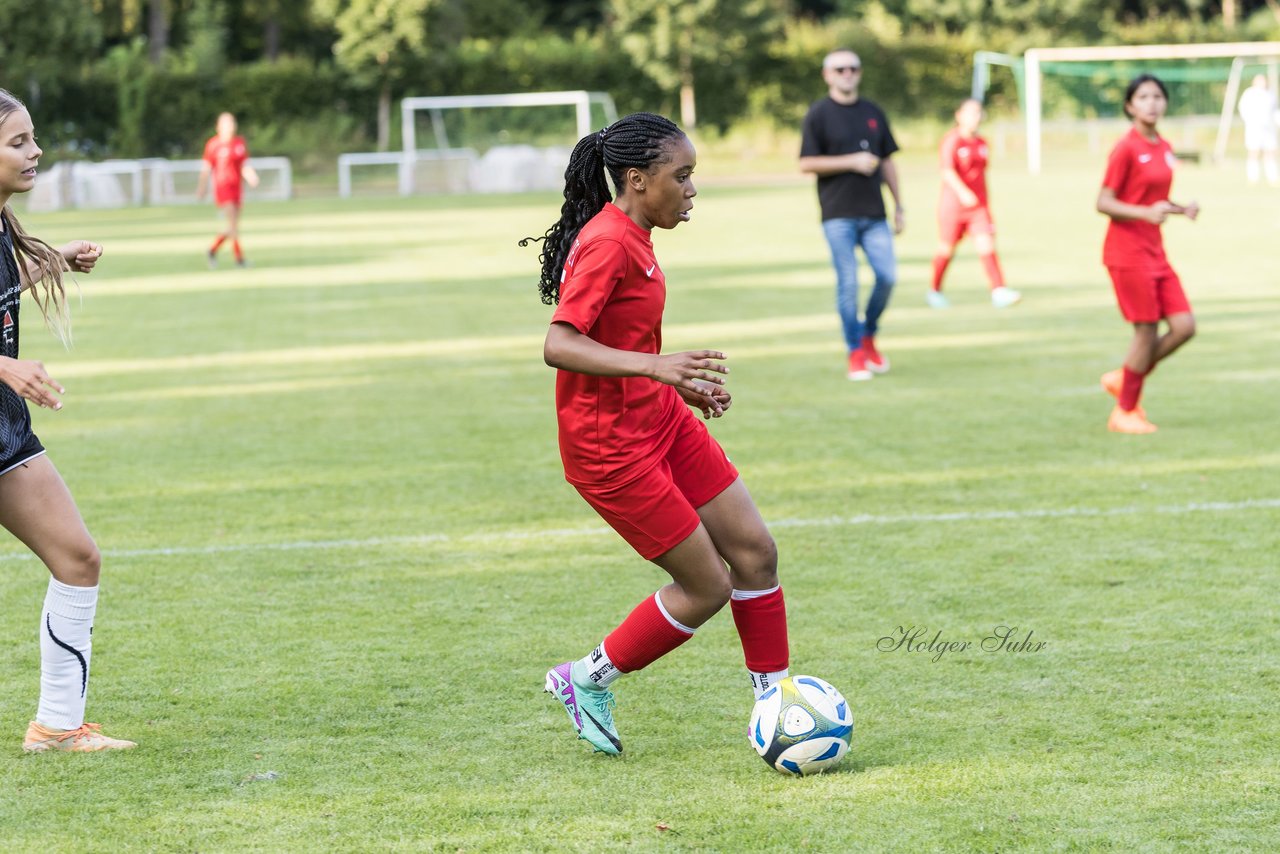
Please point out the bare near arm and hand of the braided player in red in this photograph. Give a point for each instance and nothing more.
(568, 349)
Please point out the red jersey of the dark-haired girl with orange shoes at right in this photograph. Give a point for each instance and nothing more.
(1140, 172)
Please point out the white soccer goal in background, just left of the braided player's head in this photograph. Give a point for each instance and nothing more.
(496, 143)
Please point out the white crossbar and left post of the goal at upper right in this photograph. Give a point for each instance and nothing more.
(1034, 58)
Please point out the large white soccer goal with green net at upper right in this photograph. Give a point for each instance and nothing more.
(1066, 93)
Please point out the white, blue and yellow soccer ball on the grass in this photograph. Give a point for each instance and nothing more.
(802, 727)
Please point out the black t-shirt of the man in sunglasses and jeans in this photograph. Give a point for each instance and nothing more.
(833, 129)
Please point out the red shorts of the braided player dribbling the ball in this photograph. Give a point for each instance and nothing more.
(659, 510)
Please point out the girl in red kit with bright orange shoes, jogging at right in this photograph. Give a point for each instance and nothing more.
(1136, 197)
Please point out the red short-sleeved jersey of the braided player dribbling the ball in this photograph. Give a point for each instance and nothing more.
(614, 430)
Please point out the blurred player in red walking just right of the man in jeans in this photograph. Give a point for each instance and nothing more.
(963, 207)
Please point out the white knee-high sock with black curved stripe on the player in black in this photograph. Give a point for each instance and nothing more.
(66, 643)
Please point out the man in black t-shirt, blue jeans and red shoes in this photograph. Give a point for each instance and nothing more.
(848, 145)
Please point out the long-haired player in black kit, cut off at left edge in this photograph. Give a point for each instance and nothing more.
(35, 504)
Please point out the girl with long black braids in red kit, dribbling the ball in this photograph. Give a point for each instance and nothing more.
(629, 441)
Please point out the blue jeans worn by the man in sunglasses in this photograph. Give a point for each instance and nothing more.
(877, 241)
